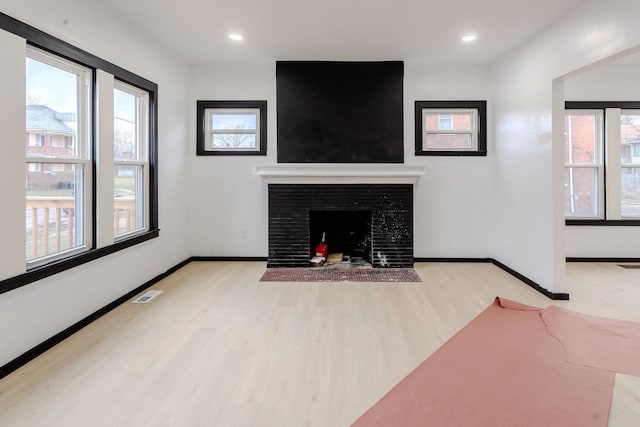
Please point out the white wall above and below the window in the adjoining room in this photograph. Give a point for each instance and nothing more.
(605, 82)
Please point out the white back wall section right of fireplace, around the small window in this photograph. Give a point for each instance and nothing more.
(452, 202)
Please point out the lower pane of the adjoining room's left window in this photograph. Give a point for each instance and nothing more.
(581, 192)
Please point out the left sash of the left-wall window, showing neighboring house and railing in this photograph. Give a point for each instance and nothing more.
(58, 157)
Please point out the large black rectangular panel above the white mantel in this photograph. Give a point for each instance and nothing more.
(340, 112)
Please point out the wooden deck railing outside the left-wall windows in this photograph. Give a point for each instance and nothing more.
(51, 227)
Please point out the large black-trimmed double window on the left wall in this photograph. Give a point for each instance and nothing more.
(90, 174)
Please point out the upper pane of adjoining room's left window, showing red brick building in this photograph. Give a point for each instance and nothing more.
(581, 138)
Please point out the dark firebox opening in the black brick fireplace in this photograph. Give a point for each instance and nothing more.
(347, 232)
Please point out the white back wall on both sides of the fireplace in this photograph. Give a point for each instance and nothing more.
(452, 199)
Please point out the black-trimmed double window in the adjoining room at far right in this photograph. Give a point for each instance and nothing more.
(602, 163)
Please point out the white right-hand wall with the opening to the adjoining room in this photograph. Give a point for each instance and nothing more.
(527, 182)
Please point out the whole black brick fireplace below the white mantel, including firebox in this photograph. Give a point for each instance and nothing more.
(373, 219)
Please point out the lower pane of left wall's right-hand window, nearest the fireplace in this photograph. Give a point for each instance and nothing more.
(127, 199)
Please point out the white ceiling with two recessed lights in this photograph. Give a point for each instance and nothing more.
(415, 30)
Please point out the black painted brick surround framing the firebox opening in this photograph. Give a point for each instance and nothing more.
(391, 207)
